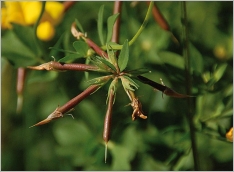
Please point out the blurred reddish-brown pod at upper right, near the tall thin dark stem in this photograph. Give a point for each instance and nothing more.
(159, 18)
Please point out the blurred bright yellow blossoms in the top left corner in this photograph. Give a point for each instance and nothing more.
(27, 13)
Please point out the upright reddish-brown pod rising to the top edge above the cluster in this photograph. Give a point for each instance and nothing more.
(117, 9)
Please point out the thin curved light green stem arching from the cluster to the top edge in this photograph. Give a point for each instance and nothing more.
(148, 14)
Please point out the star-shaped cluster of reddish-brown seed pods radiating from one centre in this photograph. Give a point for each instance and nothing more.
(135, 102)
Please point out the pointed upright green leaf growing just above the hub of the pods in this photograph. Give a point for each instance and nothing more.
(123, 56)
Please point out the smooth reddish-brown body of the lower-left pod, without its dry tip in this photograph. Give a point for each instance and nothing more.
(73, 102)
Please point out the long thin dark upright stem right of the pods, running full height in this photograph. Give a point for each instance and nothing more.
(188, 86)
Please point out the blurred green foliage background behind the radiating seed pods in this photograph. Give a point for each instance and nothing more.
(162, 141)
